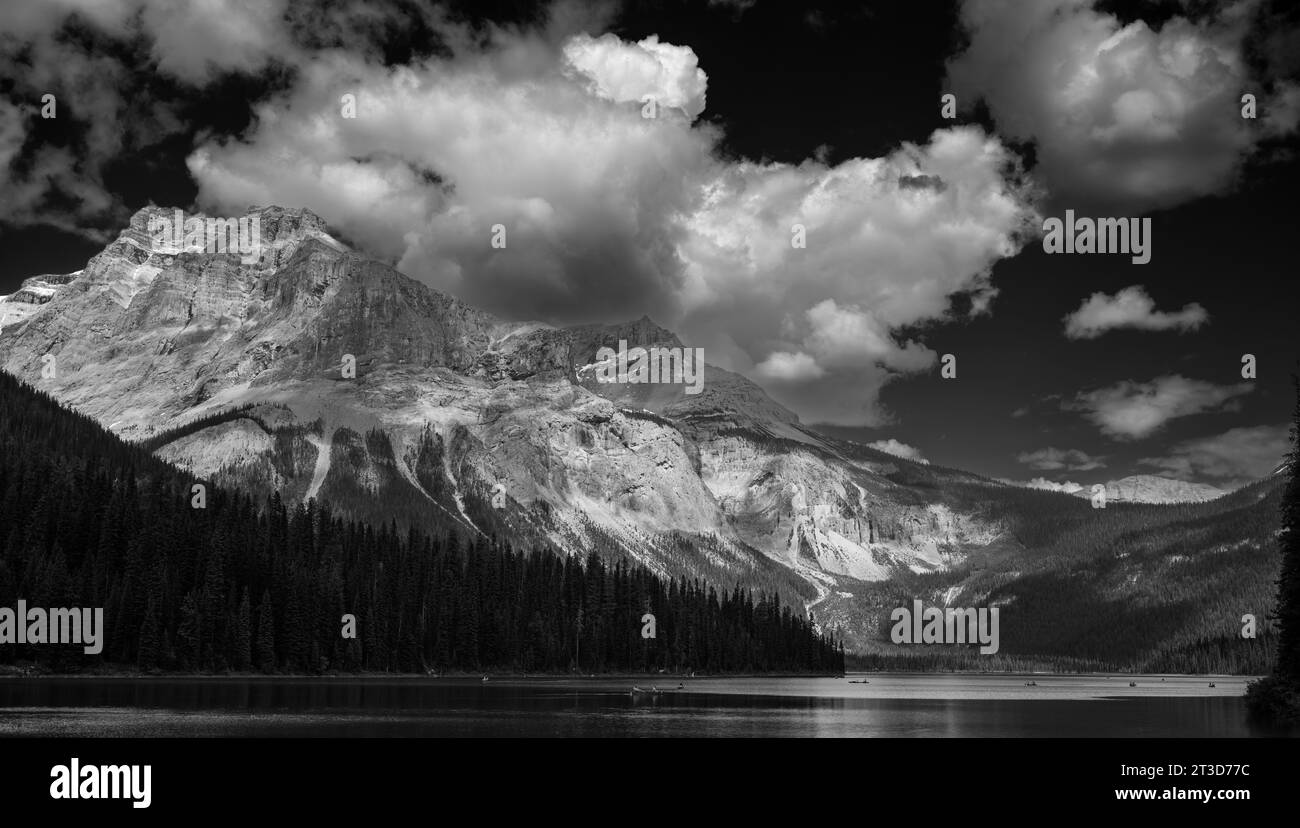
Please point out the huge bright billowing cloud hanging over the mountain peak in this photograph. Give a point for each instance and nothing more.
(613, 215)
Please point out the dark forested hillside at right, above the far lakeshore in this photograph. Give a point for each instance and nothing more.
(1137, 588)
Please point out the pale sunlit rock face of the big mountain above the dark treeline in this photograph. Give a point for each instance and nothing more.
(315, 372)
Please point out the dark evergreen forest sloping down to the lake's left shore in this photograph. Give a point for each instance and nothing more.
(88, 521)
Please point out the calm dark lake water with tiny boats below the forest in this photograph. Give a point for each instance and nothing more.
(890, 705)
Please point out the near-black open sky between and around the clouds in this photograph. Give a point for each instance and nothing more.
(788, 81)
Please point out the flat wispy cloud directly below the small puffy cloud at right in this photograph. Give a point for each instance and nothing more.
(1136, 410)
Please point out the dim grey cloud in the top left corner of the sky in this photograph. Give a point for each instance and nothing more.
(105, 94)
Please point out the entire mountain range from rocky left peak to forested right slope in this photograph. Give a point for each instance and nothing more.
(318, 372)
